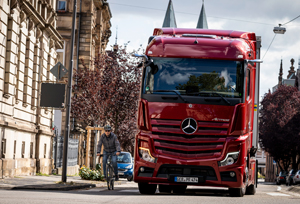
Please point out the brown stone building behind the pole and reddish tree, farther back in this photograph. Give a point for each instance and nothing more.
(93, 29)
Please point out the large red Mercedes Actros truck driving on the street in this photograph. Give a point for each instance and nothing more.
(196, 116)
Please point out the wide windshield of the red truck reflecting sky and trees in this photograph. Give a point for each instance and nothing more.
(194, 77)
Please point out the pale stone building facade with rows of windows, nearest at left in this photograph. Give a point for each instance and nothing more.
(28, 40)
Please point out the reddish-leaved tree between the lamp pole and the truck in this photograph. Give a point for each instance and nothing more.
(108, 94)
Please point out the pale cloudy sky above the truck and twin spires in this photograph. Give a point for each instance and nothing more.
(135, 20)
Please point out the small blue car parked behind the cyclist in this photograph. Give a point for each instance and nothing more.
(125, 166)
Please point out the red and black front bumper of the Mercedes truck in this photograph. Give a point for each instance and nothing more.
(208, 175)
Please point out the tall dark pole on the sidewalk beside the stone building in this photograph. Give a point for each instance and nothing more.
(68, 98)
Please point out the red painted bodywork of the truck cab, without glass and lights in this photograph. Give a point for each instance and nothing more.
(224, 128)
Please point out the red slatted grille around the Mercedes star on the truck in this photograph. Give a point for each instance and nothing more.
(207, 142)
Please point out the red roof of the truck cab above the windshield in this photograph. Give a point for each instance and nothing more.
(200, 43)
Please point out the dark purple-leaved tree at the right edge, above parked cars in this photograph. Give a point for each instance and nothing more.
(279, 125)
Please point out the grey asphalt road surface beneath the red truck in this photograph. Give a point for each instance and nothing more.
(128, 193)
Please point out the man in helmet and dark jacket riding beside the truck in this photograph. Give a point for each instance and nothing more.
(111, 147)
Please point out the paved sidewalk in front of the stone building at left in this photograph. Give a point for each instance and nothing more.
(51, 183)
